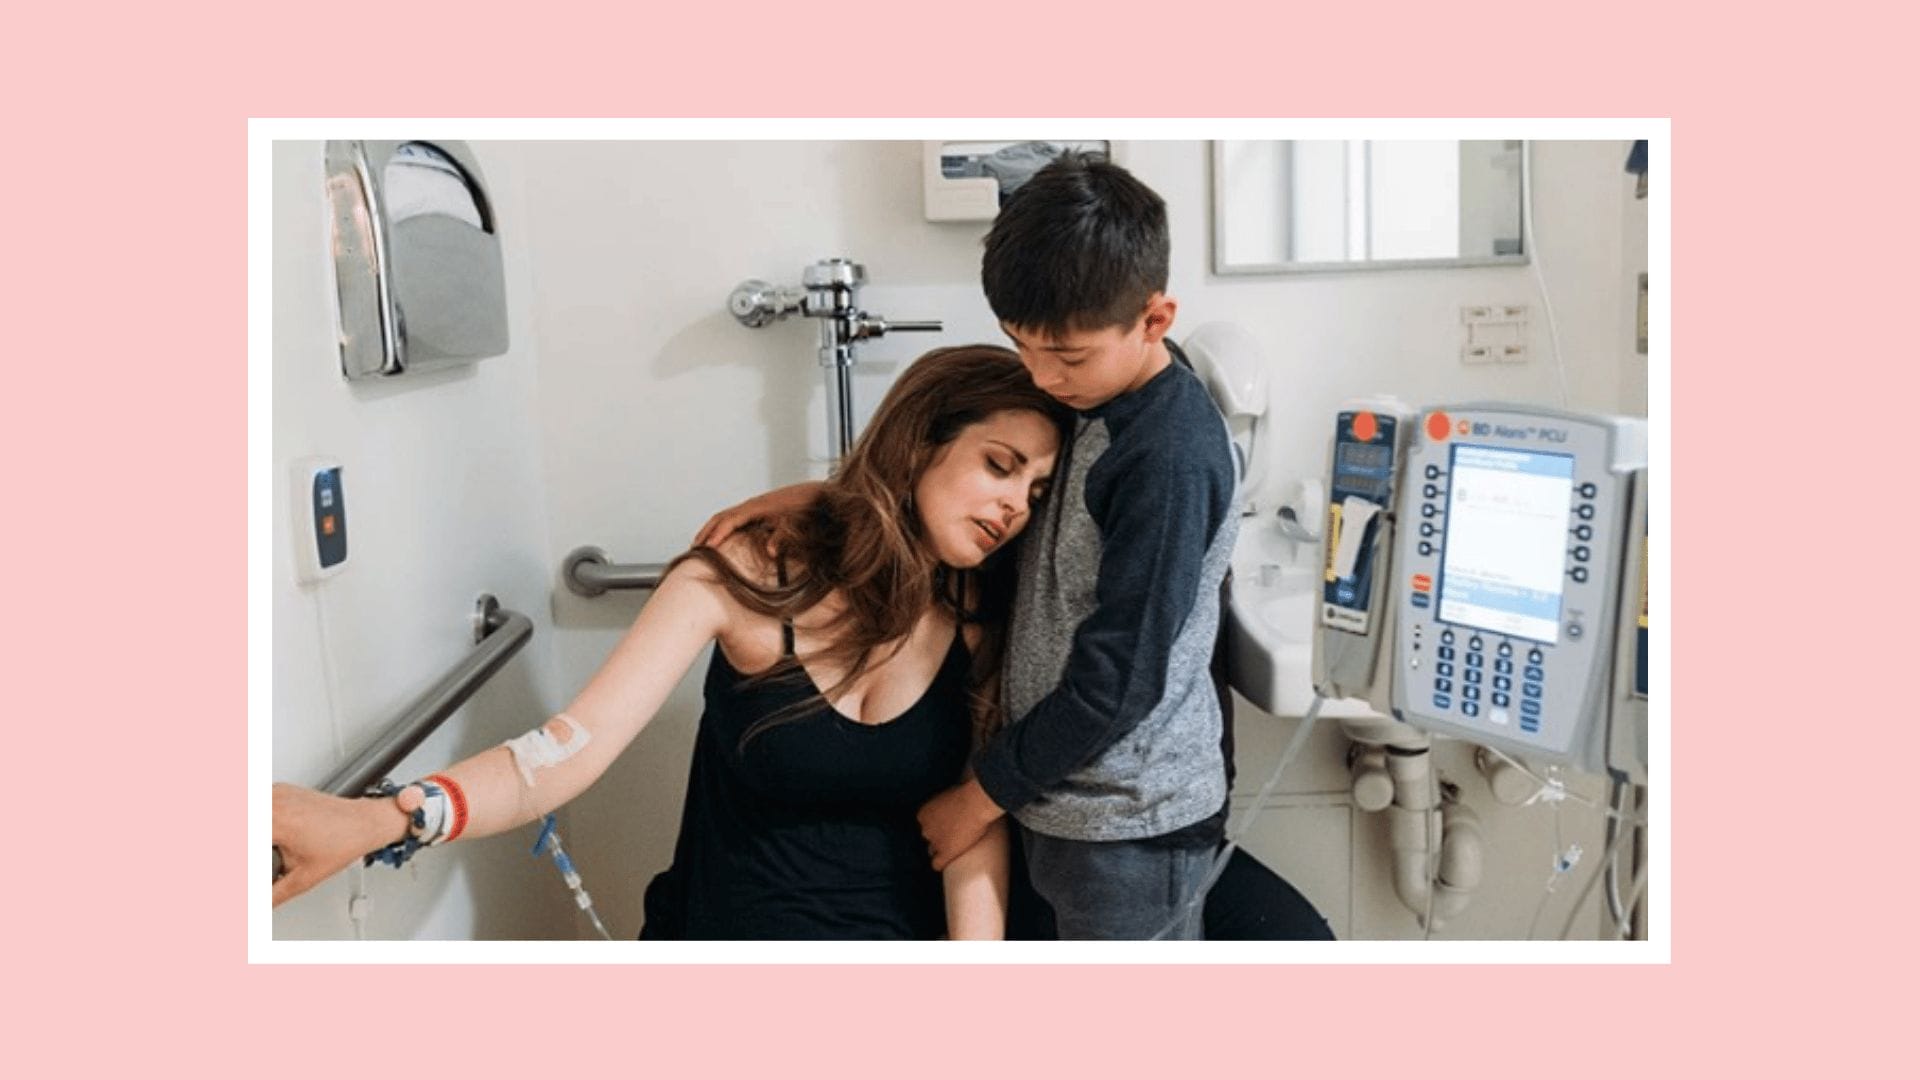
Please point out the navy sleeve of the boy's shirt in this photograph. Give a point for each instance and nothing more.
(1157, 516)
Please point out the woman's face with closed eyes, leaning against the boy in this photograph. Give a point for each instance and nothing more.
(982, 487)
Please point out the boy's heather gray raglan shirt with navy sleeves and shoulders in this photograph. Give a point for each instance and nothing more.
(1115, 724)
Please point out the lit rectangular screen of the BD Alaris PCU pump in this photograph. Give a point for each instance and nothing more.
(1504, 564)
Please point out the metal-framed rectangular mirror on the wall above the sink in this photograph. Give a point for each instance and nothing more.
(1301, 207)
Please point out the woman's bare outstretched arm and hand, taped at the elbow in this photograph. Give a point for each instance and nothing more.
(504, 789)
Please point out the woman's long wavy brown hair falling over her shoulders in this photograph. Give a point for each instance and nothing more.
(863, 539)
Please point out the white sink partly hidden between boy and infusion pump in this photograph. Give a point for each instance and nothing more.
(1270, 622)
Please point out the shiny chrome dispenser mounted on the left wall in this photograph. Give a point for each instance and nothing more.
(418, 264)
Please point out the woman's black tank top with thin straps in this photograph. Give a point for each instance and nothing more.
(809, 831)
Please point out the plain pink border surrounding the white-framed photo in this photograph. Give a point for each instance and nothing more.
(135, 272)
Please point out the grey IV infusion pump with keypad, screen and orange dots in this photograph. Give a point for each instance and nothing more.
(1504, 597)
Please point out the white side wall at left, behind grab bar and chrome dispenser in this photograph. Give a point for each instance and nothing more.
(443, 503)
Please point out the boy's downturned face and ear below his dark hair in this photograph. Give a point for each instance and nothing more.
(1086, 370)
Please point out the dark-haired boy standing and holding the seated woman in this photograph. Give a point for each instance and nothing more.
(1113, 756)
